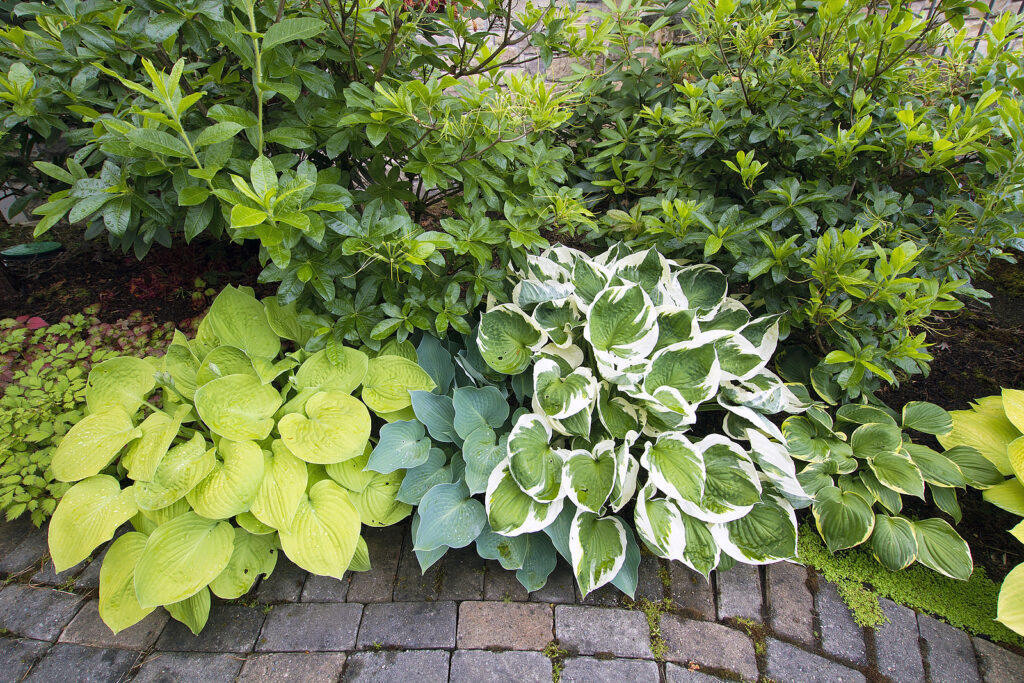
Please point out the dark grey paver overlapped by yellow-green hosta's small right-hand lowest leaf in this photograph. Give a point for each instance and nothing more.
(231, 629)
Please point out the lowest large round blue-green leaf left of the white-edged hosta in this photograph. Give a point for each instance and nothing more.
(449, 518)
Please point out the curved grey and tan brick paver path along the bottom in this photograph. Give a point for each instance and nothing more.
(467, 620)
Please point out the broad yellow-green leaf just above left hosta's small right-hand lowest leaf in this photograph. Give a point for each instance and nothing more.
(182, 558)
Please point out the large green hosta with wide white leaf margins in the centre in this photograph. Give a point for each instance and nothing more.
(621, 353)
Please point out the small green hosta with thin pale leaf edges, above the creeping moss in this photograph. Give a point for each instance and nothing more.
(860, 467)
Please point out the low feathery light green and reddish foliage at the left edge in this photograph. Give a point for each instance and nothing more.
(44, 393)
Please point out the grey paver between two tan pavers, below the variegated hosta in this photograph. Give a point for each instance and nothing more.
(600, 631)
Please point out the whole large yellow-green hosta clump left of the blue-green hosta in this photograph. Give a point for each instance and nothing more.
(250, 450)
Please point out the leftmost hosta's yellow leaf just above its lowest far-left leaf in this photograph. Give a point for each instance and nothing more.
(93, 444)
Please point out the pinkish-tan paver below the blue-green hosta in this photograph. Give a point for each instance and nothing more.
(520, 626)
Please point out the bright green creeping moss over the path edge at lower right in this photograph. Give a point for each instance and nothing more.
(862, 581)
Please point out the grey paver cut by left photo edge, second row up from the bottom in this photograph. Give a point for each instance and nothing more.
(37, 613)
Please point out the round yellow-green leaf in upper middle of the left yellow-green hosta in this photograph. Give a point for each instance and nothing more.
(238, 407)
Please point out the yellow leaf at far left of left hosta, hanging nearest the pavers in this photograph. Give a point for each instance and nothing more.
(89, 516)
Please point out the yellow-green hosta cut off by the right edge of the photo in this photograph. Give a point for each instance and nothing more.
(995, 426)
